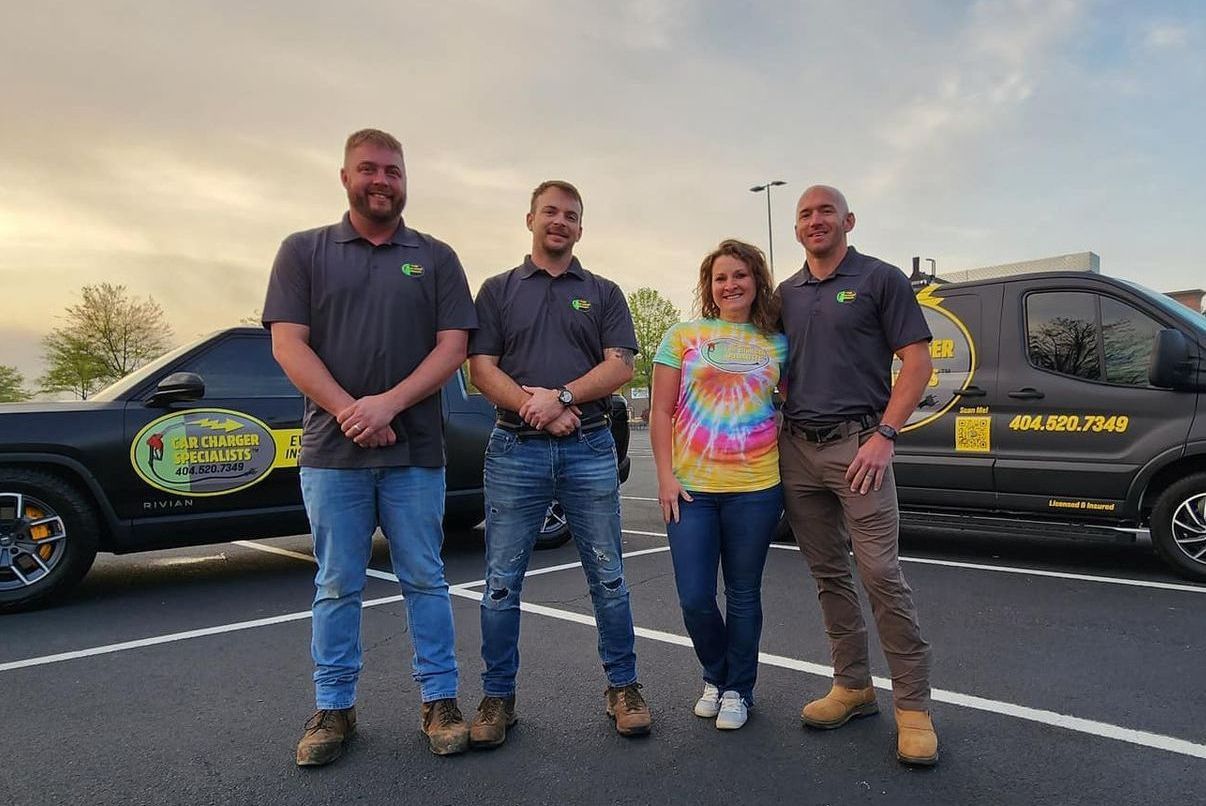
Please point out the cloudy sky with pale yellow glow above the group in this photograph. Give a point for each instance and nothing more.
(171, 147)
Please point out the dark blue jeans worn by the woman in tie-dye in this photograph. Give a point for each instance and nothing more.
(734, 530)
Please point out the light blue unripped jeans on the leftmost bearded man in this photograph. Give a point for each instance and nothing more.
(346, 509)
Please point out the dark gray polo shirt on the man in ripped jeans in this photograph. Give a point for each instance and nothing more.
(549, 331)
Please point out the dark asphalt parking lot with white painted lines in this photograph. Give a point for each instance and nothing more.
(1063, 673)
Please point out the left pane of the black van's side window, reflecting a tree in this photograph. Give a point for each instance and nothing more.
(1062, 334)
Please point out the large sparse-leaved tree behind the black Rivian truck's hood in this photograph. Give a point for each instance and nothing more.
(108, 336)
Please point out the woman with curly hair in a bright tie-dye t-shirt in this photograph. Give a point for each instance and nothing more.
(713, 430)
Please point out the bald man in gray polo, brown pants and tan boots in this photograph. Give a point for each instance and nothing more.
(846, 316)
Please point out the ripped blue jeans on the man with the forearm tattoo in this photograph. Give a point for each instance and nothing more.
(524, 475)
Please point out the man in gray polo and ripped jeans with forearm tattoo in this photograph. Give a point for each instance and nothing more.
(554, 342)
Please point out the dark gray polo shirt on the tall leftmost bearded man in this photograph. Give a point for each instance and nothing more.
(373, 314)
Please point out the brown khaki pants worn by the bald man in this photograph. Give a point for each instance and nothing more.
(829, 521)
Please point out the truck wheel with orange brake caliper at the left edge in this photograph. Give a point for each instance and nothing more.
(49, 534)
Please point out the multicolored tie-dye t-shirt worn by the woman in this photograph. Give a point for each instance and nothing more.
(725, 437)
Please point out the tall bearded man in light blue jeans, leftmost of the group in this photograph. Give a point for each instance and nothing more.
(370, 319)
